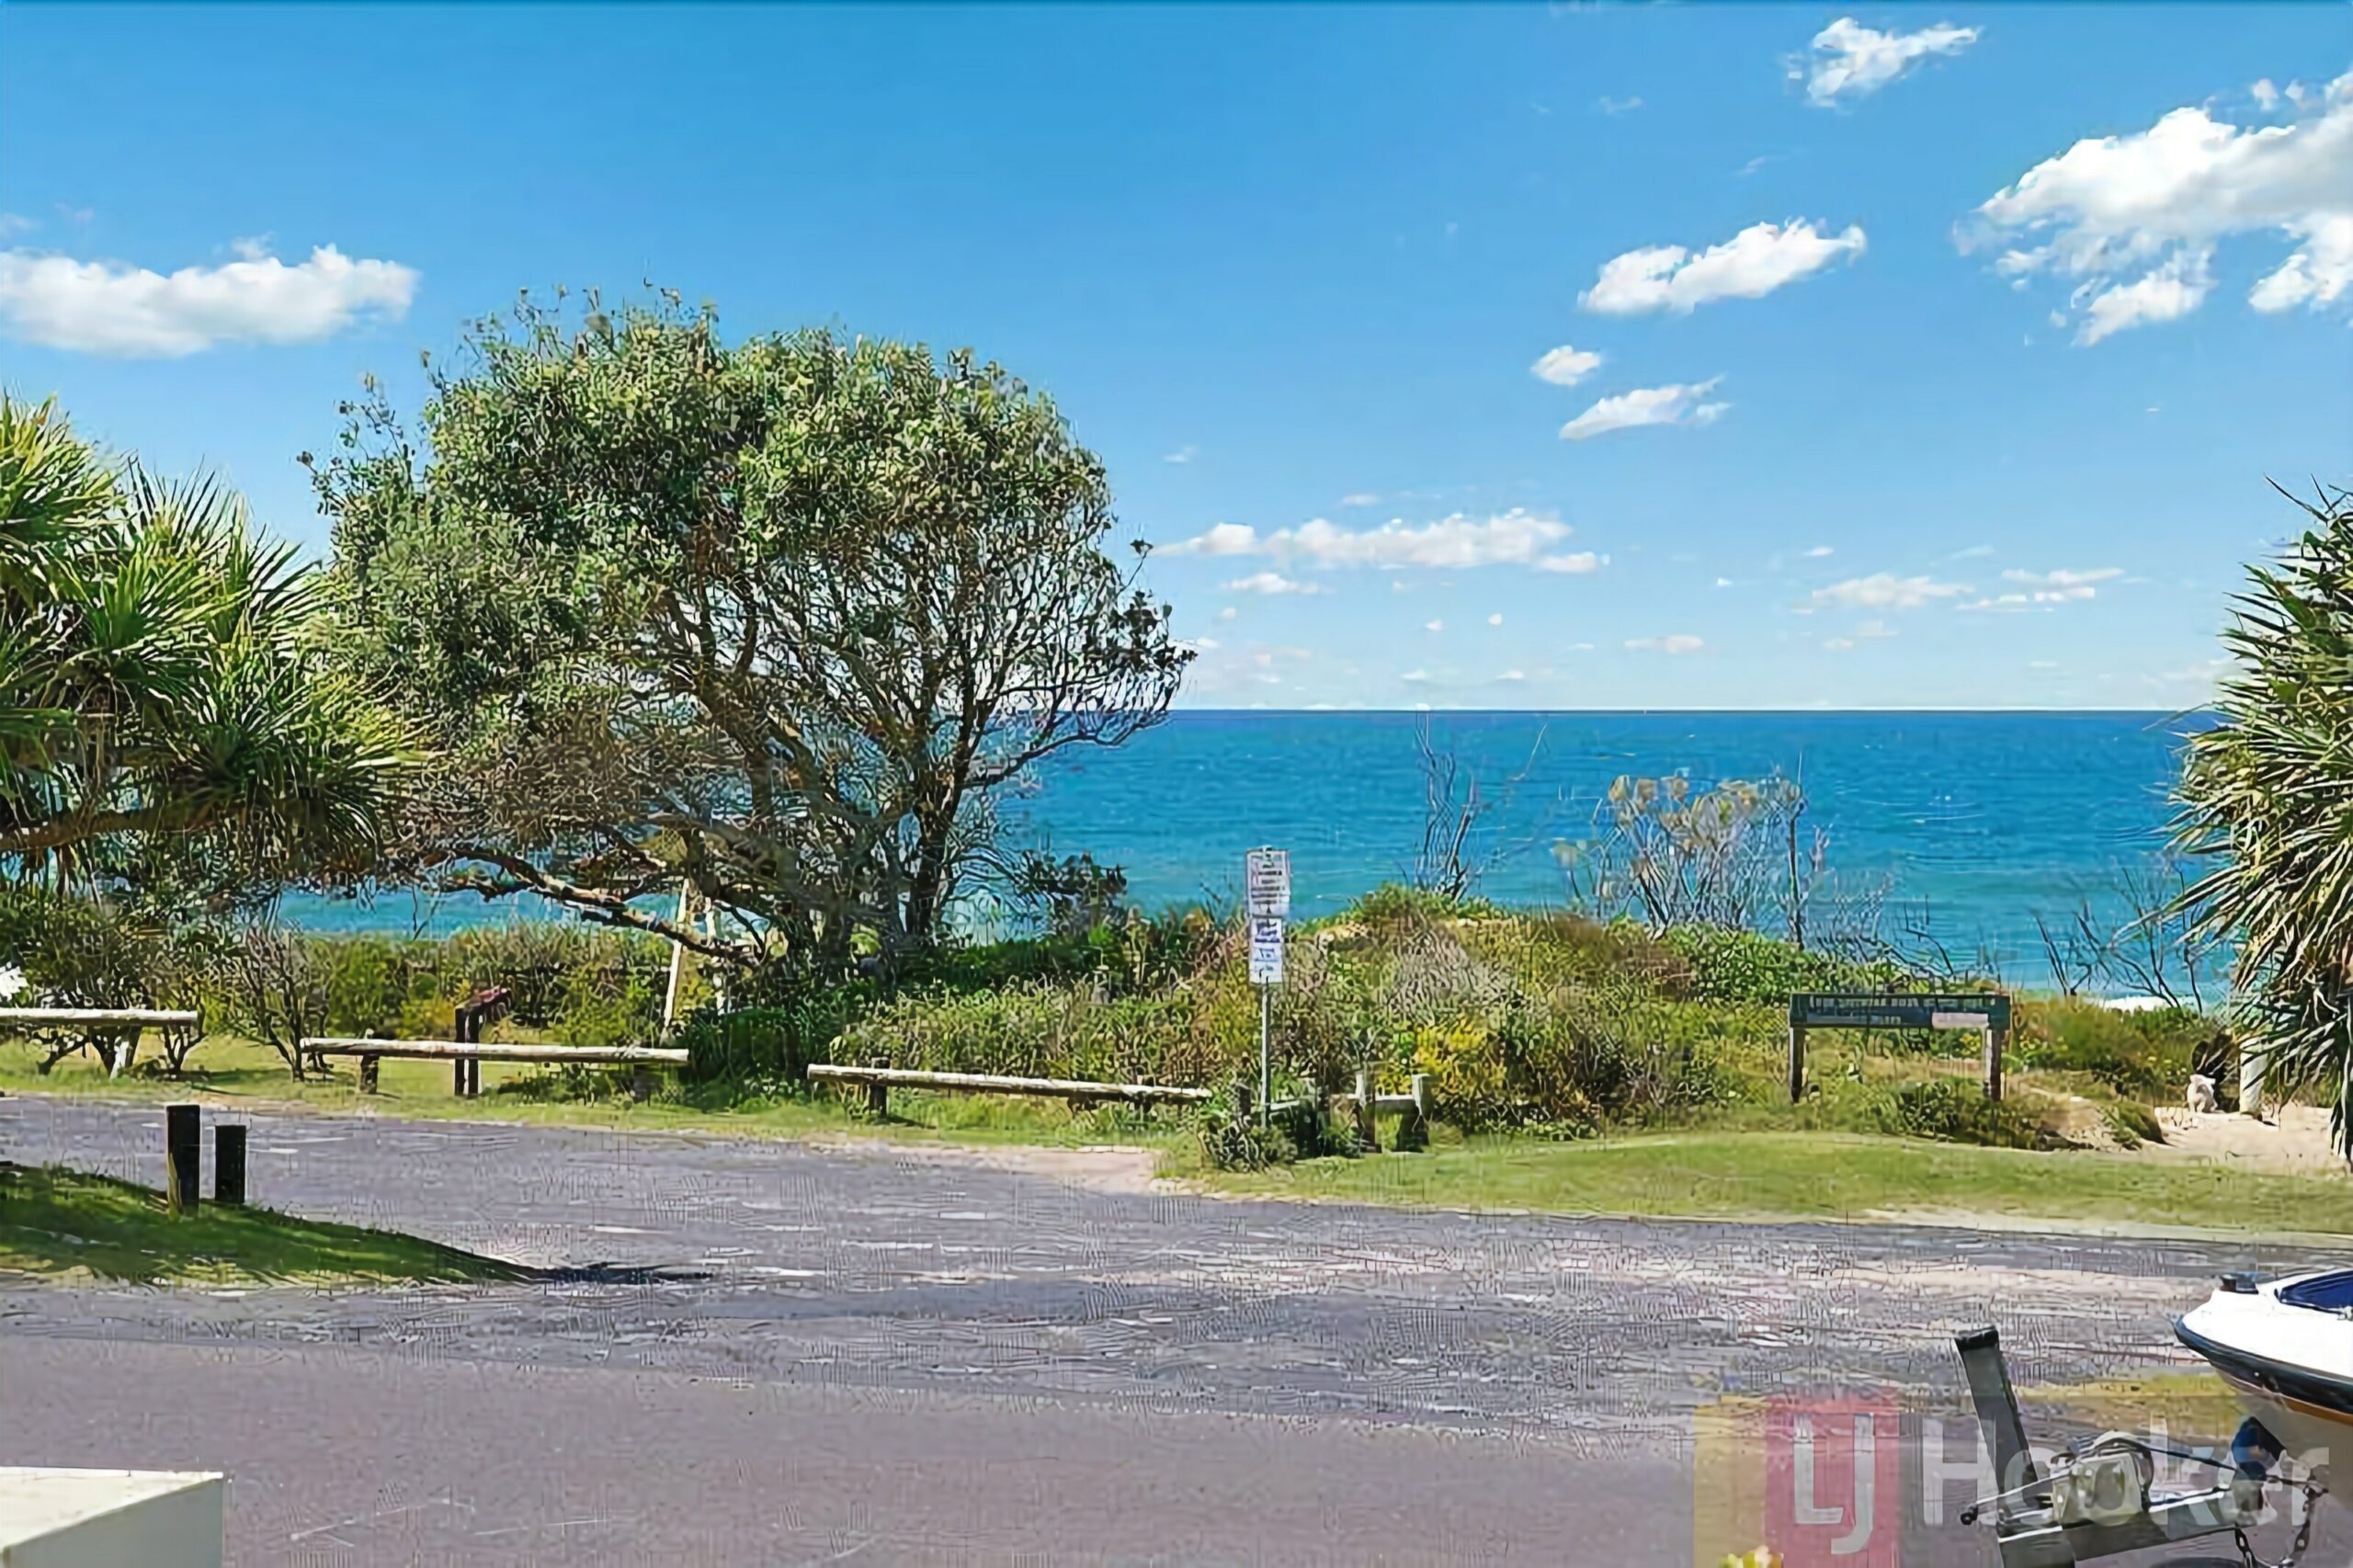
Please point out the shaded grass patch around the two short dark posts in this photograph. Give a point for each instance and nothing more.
(74, 1225)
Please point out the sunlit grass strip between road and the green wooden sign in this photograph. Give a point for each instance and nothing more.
(1815, 1176)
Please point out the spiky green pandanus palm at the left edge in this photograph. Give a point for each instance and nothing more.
(161, 675)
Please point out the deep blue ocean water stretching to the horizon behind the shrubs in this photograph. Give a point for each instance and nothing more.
(1980, 820)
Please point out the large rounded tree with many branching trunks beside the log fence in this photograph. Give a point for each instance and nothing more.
(771, 620)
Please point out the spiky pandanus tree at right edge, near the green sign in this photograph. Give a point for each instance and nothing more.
(2267, 802)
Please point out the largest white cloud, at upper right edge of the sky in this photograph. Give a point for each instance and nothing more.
(2135, 220)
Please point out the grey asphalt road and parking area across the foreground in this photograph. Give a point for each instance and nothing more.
(909, 1355)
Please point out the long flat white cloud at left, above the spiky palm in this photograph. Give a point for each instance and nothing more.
(112, 307)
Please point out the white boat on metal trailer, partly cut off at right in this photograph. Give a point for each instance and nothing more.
(2293, 1378)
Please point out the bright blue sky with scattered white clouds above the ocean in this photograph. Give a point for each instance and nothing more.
(1291, 272)
